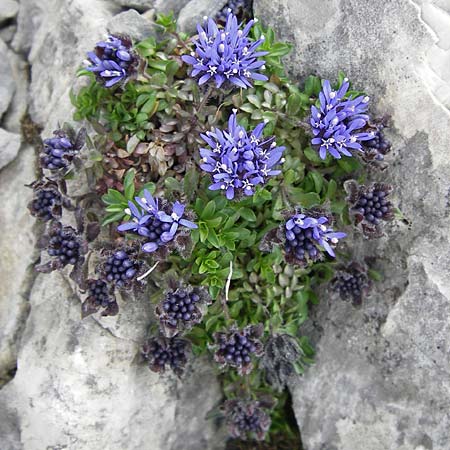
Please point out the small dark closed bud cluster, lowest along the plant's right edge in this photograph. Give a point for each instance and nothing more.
(352, 283)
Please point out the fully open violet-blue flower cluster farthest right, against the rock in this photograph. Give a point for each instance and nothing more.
(337, 123)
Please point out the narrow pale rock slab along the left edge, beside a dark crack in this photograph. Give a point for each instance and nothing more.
(17, 243)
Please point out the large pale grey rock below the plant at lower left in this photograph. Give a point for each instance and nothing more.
(80, 387)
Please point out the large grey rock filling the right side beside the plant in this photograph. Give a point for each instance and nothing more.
(381, 380)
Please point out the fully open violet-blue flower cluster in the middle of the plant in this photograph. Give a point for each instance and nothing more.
(237, 160)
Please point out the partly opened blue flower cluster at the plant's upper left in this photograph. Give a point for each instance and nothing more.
(113, 61)
